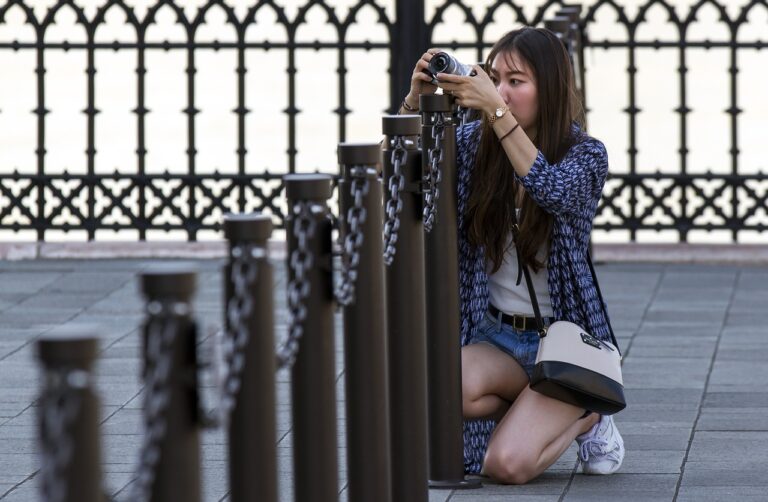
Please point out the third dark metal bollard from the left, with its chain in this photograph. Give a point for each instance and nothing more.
(249, 387)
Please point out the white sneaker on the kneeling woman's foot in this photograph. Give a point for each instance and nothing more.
(601, 448)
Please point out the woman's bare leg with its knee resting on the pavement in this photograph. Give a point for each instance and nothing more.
(532, 435)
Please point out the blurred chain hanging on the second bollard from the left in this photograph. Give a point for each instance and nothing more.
(161, 331)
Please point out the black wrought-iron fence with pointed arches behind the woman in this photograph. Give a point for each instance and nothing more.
(677, 194)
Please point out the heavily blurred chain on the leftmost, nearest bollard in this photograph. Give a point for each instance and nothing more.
(62, 404)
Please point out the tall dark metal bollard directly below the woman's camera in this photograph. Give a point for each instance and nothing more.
(446, 447)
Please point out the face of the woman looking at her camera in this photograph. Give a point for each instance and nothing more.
(516, 84)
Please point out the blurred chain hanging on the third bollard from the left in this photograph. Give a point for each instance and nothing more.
(239, 309)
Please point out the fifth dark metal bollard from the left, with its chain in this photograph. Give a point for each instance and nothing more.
(365, 344)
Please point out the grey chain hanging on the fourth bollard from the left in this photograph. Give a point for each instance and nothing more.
(298, 289)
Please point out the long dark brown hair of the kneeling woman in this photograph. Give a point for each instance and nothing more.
(493, 185)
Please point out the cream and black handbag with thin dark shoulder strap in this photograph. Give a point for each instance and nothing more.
(572, 365)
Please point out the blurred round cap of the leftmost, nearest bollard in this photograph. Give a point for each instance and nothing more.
(69, 346)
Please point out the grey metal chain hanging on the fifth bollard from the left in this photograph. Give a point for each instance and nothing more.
(356, 215)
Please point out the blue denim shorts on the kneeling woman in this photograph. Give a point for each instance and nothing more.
(521, 345)
